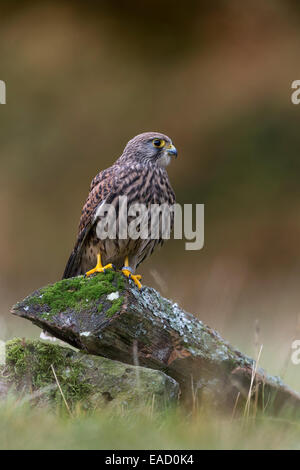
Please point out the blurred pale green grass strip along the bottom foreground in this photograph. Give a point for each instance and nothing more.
(26, 427)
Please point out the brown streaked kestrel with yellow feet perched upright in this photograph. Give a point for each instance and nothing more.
(140, 174)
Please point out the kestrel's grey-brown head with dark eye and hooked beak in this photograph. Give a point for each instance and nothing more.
(150, 147)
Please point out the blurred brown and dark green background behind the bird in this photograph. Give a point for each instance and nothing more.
(83, 78)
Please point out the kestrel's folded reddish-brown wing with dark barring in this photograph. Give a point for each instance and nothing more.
(102, 188)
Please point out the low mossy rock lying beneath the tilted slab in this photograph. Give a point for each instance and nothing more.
(93, 381)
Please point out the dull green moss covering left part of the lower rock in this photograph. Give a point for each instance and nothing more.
(34, 359)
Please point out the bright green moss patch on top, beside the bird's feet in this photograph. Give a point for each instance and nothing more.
(77, 293)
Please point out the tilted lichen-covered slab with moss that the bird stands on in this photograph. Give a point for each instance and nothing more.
(108, 316)
